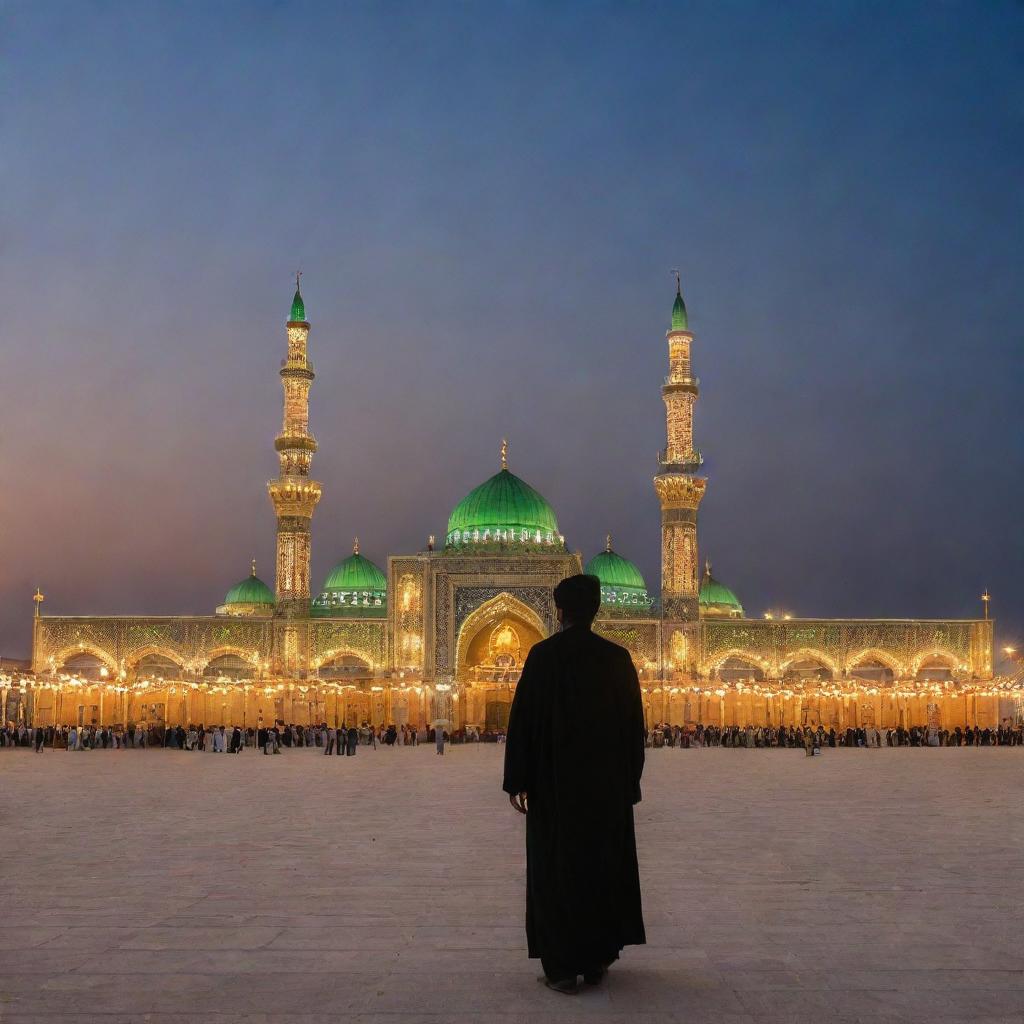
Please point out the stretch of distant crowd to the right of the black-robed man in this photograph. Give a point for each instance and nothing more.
(767, 736)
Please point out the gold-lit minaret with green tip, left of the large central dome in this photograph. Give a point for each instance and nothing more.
(294, 495)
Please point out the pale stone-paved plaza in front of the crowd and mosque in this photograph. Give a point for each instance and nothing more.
(167, 887)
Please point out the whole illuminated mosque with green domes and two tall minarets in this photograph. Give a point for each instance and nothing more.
(442, 634)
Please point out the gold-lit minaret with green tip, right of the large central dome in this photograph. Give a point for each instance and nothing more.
(678, 485)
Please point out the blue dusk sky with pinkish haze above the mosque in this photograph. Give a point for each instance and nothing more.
(487, 201)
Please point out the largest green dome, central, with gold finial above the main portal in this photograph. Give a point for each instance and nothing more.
(501, 511)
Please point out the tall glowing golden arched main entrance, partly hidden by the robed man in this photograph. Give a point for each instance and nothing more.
(493, 646)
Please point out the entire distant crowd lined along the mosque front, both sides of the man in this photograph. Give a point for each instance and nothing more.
(345, 741)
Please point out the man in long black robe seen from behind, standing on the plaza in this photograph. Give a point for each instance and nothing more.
(574, 757)
